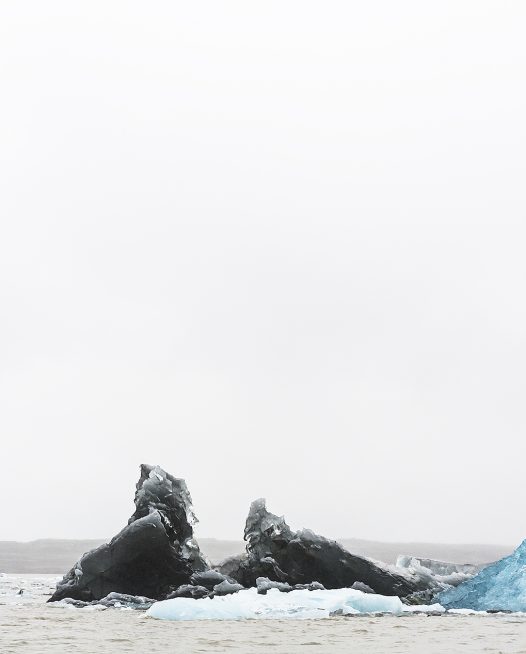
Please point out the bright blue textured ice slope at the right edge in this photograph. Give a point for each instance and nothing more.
(499, 586)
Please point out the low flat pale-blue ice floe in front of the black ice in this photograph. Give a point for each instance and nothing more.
(299, 604)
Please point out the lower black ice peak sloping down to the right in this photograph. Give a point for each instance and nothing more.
(279, 554)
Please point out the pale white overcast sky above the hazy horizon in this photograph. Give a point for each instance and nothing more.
(277, 248)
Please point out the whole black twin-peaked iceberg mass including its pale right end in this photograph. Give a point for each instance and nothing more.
(155, 557)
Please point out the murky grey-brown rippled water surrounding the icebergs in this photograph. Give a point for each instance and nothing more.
(29, 625)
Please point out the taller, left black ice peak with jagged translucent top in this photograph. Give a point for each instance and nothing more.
(152, 556)
